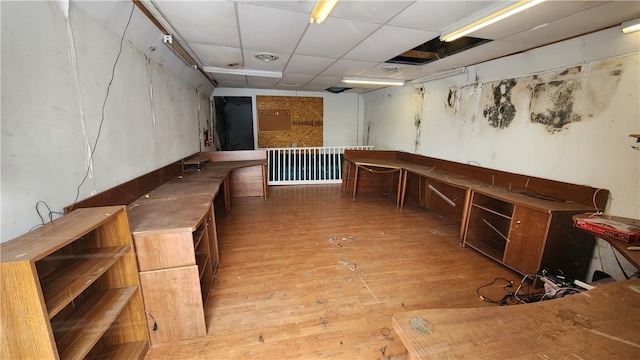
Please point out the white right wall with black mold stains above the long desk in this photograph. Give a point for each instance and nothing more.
(602, 83)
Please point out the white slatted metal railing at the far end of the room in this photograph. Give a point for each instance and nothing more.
(307, 165)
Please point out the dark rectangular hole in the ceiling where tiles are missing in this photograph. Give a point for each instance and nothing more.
(435, 49)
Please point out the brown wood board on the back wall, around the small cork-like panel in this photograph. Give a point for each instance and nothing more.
(306, 121)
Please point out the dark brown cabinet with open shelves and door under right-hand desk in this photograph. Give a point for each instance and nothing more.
(528, 234)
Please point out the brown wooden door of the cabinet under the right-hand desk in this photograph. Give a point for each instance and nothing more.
(527, 237)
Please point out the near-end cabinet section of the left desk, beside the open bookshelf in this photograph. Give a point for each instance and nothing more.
(176, 245)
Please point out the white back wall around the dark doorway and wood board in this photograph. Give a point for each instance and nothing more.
(343, 113)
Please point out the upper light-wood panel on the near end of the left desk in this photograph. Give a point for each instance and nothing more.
(164, 250)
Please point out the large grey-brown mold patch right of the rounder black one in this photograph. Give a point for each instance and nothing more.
(552, 99)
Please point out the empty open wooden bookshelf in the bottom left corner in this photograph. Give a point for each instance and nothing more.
(70, 290)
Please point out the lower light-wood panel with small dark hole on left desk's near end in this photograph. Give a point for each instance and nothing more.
(173, 301)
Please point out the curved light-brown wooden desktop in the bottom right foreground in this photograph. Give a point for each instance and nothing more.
(602, 323)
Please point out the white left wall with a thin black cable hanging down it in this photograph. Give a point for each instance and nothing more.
(56, 71)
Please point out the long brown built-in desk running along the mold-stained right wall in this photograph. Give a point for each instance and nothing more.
(510, 218)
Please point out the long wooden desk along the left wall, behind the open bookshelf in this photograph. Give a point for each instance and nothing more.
(175, 237)
